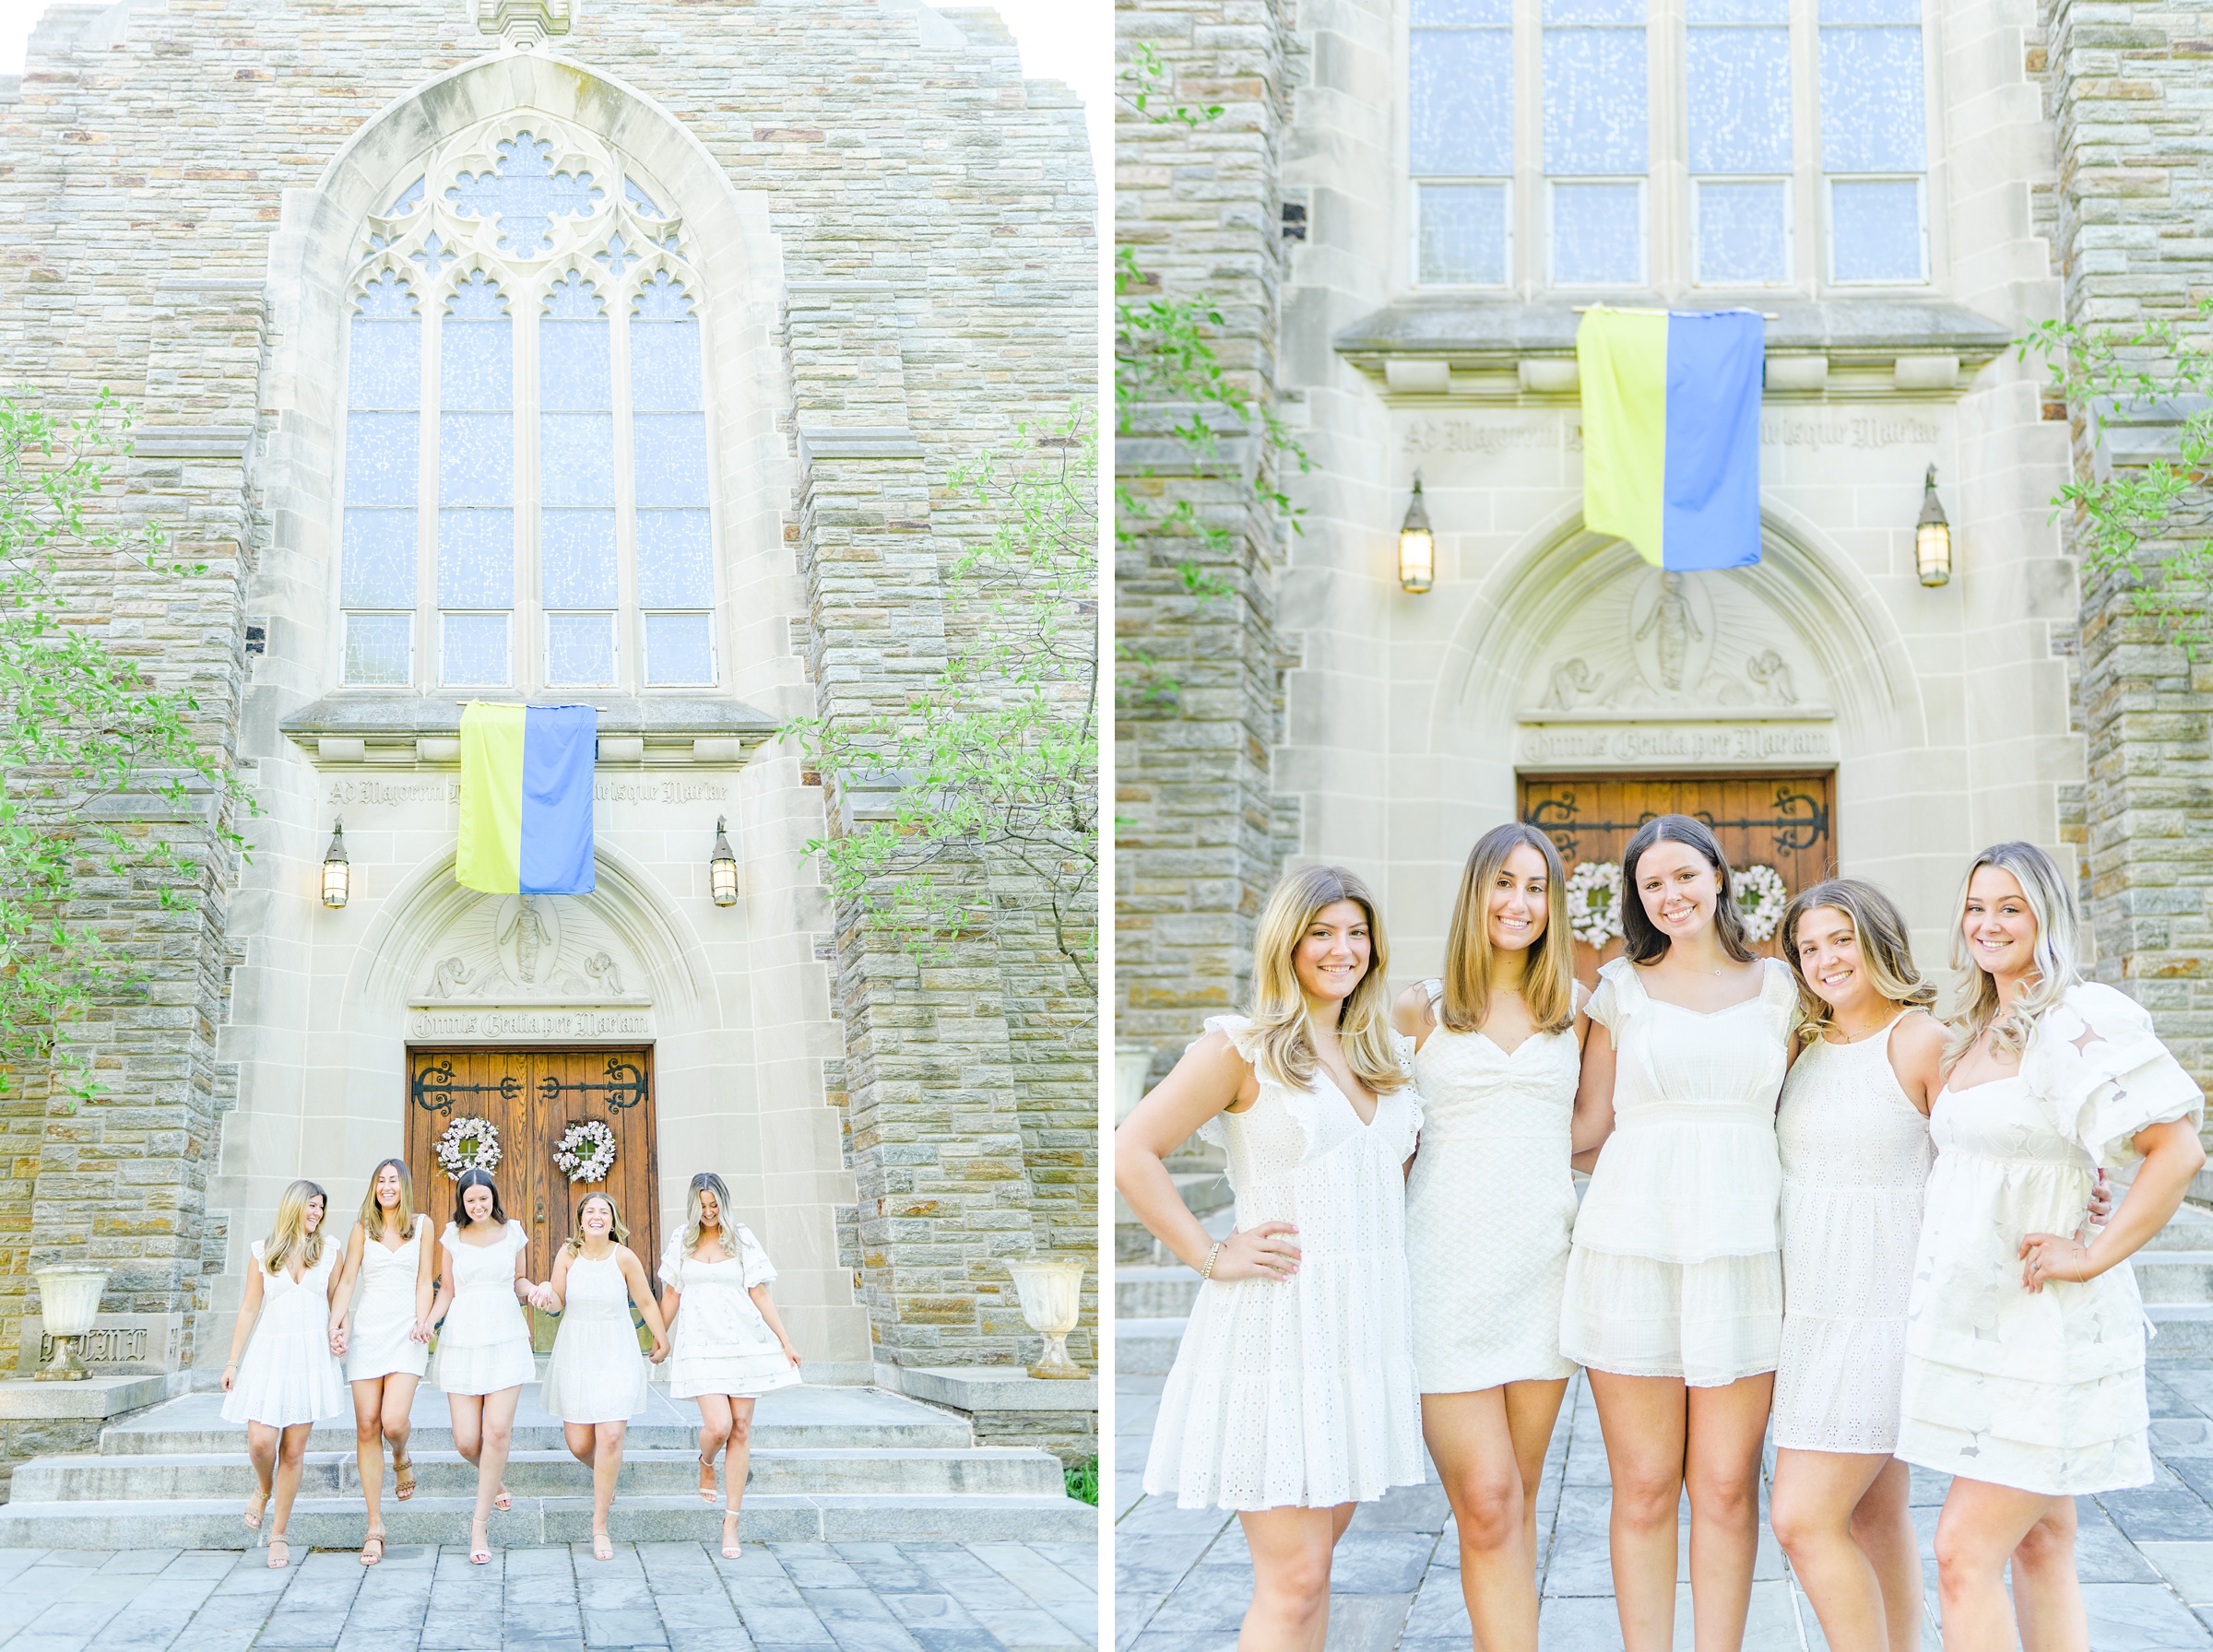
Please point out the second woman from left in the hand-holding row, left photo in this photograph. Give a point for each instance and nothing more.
(384, 1335)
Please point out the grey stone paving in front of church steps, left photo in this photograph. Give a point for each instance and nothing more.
(809, 1598)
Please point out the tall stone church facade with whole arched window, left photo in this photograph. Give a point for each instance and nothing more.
(557, 353)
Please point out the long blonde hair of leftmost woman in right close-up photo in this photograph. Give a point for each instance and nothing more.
(1287, 1054)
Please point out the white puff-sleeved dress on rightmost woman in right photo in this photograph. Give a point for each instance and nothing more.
(2041, 1392)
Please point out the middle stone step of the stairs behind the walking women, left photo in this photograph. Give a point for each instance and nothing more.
(1004, 1472)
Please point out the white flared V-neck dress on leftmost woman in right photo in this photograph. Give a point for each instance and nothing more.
(1300, 1394)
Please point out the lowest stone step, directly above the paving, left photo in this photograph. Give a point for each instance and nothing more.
(340, 1523)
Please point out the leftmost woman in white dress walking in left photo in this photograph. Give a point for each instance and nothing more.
(289, 1379)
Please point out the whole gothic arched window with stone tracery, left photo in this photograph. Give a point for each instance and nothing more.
(550, 525)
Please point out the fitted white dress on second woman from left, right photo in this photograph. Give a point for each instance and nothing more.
(1490, 1206)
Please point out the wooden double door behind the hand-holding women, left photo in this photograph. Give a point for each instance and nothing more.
(532, 1096)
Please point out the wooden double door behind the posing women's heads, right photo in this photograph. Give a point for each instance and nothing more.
(1778, 822)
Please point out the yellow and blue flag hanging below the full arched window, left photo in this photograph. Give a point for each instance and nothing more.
(526, 799)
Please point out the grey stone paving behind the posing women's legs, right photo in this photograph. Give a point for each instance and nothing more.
(1183, 1578)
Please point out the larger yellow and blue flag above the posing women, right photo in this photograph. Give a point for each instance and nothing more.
(1672, 432)
